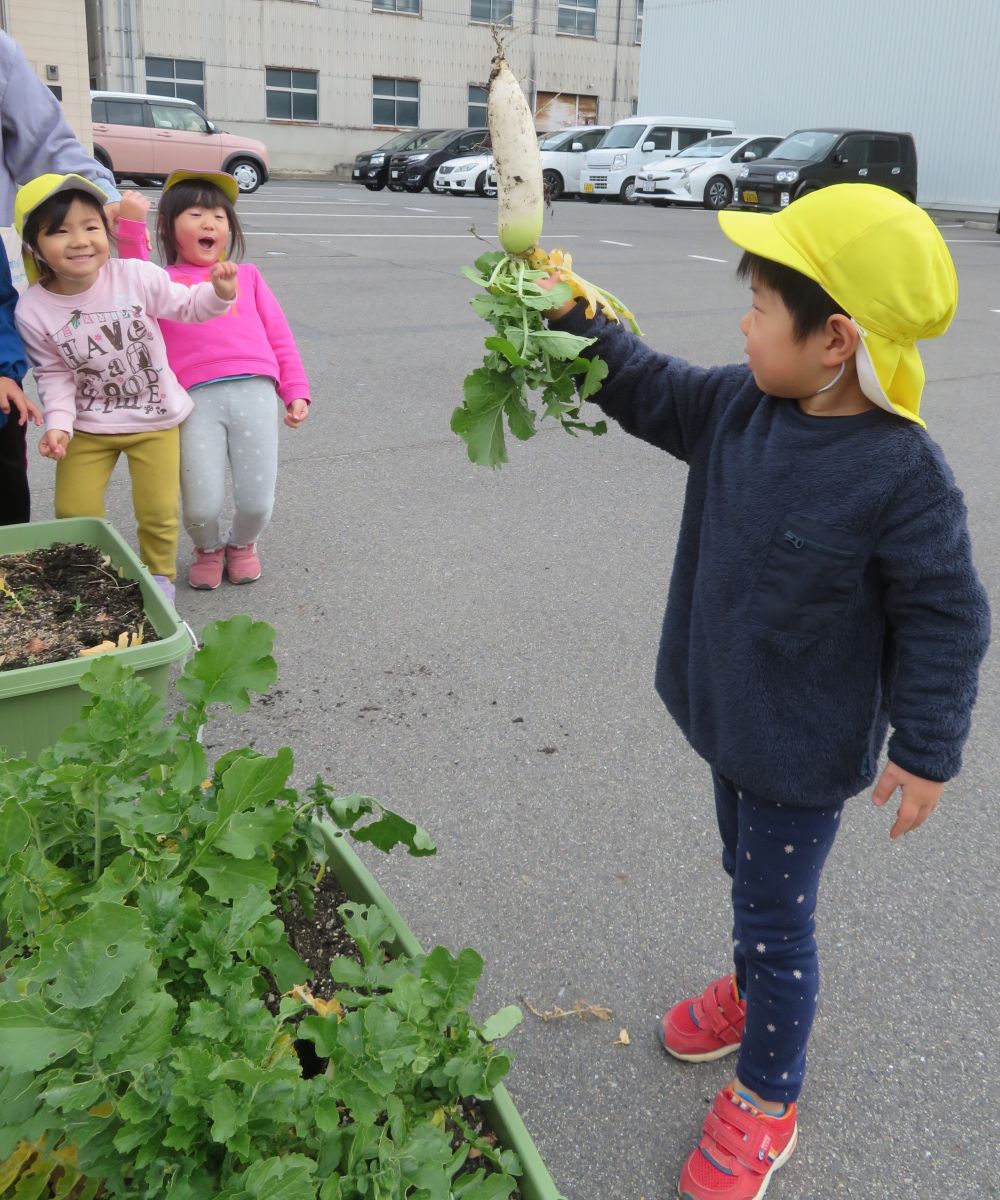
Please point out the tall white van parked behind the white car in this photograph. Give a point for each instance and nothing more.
(634, 142)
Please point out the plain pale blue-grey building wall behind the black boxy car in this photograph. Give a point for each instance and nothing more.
(780, 65)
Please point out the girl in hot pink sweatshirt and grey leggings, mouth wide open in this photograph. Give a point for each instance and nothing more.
(233, 368)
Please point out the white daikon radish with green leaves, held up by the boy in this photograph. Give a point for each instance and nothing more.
(526, 285)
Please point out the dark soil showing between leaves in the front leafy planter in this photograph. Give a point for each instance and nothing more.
(324, 938)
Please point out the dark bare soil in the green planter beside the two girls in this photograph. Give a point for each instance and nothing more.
(58, 602)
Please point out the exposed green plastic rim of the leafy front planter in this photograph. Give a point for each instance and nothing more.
(360, 885)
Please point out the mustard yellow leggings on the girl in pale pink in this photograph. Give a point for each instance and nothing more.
(154, 467)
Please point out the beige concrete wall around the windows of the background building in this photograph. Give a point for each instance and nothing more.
(349, 45)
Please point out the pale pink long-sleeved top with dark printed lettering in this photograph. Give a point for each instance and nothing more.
(99, 356)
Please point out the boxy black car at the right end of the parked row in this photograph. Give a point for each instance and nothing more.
(812, 159)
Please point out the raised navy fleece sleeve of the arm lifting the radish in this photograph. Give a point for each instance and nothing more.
(657, 398)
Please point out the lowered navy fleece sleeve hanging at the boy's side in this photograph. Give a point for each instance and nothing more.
(941, 620)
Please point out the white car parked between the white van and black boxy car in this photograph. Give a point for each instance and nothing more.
(703, 173)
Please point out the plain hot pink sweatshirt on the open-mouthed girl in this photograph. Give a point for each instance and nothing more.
(254, 338)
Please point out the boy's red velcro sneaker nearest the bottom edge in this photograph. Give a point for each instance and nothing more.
(740, 1150)
